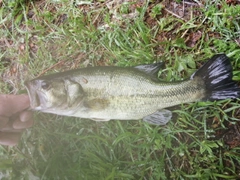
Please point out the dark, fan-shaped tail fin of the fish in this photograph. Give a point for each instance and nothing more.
(217, 76)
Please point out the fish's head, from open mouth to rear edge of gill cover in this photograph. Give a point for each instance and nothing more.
(49, 95)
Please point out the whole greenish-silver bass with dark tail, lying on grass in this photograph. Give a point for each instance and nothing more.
(106, 93)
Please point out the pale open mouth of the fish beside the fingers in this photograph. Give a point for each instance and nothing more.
(33, 95)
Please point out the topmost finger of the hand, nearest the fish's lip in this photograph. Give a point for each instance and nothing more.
(11, 104)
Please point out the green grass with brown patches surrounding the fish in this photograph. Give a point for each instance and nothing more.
(42, 37)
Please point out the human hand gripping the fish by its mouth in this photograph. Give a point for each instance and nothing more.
(14, 118)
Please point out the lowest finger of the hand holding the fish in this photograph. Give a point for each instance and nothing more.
(9, 139)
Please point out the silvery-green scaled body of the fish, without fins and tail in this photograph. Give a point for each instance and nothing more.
(94, 95)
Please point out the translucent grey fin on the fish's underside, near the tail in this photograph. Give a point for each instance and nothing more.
(160, 117)
